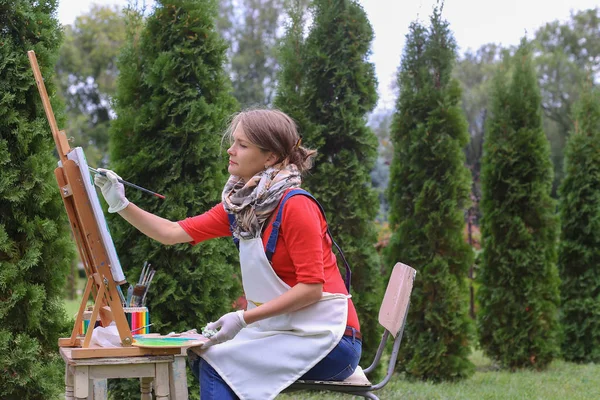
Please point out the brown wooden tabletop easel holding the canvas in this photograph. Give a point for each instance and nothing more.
(100, 282)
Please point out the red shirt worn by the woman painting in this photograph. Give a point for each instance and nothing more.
(303, 251)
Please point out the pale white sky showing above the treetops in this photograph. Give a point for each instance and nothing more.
(473, 22)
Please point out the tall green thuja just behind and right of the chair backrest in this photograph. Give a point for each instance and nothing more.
(428, 192)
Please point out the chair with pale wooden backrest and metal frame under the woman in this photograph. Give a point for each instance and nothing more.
(392, 316)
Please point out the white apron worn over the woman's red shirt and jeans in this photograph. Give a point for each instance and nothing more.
(269, 355)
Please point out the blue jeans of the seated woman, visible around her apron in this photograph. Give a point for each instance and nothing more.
(339, 364)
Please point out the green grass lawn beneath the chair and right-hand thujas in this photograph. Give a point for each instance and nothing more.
(560, 381)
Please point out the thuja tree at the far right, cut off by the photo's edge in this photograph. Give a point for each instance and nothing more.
(579, 250)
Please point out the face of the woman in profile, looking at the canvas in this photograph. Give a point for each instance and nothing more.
(245, 158)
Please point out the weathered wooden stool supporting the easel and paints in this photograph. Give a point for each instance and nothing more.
(86, 378)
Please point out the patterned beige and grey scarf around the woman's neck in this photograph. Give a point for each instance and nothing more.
(253, 202)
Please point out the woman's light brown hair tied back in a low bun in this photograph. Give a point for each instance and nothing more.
(273, 130)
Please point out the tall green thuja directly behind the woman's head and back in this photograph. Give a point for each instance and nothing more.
(336, 87)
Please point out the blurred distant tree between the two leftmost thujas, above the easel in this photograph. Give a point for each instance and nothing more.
(87, 74)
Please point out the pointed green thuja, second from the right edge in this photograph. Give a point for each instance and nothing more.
(518, 296)
